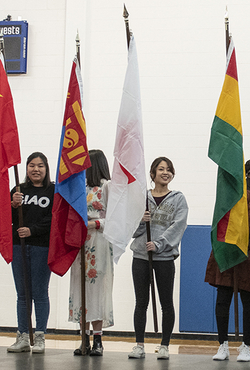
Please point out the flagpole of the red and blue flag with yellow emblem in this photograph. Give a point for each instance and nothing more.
(83, 247)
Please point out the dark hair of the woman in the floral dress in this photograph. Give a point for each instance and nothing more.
(99, 169)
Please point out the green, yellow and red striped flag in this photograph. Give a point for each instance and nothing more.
(229, 233)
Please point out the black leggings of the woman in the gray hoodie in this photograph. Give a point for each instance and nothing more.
(164, 274)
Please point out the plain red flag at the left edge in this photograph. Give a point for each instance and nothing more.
(9, 156)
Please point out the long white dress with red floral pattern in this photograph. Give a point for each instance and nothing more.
(98, 266)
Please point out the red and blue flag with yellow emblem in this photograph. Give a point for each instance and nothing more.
(69, 213)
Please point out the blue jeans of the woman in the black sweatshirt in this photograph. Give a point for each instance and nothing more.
(39, 276)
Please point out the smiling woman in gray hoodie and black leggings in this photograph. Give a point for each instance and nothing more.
(167, 214)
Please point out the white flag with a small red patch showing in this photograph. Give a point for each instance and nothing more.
(127, 193)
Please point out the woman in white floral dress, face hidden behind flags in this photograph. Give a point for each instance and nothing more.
(98, 260)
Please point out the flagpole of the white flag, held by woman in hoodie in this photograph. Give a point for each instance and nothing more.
(126, 15)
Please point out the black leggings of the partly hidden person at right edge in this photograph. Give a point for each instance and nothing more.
(224, 298)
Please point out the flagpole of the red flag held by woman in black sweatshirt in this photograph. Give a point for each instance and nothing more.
(20, 217)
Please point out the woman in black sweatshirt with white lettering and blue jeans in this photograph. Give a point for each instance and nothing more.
(36, 197)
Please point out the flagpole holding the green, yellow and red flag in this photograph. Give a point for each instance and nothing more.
(235, 271)
